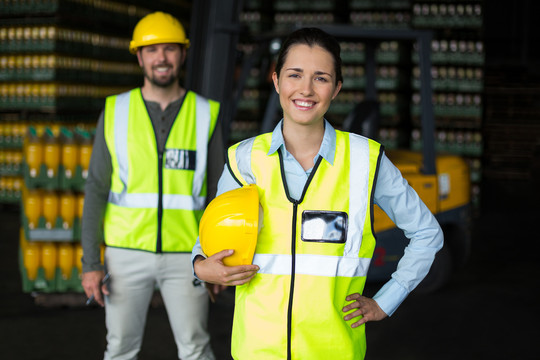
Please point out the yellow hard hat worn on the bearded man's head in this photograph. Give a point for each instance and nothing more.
(157, 28)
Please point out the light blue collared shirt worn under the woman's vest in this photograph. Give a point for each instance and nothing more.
(392, 194)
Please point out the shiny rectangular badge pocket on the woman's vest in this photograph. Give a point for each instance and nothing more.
(324, 226)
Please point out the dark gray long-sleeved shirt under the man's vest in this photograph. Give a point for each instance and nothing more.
(98, 182)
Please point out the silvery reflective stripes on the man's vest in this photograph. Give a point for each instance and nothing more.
(186, 202)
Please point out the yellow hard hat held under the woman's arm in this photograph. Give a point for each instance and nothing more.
(231, 221)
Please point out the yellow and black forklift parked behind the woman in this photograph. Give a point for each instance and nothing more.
(441, 180)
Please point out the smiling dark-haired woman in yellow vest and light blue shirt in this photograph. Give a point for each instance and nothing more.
(301, 298)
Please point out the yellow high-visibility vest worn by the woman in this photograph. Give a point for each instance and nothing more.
(312, 253)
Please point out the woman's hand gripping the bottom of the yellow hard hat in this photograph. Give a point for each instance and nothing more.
(213, 270)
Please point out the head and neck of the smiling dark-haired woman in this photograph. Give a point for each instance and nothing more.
(307, 79)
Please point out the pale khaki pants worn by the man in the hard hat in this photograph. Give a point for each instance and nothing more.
(134, 276)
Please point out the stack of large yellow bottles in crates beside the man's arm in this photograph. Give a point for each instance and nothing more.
(55, 164)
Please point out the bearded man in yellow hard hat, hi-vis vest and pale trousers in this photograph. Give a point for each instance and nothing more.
(157, 155)
